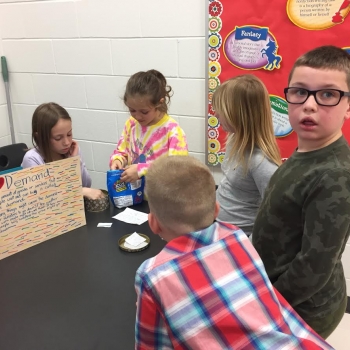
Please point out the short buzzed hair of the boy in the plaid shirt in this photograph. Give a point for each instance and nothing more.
(181, 193)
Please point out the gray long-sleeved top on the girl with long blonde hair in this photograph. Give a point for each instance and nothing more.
(240, 195)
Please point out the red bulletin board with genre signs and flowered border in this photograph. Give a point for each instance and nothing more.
(289, 28)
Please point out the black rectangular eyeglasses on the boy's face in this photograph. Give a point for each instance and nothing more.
(323, 97)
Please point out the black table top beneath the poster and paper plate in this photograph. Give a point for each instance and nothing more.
(75, 291)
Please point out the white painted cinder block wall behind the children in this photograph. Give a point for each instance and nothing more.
(80, 55)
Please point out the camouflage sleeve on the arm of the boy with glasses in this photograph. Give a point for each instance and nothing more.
(326, 217)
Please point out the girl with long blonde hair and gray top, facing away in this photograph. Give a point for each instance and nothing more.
(242, 106)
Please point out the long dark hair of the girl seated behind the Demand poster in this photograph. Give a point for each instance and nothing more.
(45, 117)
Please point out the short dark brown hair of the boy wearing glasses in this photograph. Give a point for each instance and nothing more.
(325, 57)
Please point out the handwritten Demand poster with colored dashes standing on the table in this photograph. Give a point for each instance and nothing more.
(40, 203)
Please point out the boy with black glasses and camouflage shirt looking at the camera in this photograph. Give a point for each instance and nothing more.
(304, 219)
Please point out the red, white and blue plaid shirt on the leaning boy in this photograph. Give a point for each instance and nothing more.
(209, 290)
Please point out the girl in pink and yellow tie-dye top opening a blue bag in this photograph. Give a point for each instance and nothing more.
(150, 132)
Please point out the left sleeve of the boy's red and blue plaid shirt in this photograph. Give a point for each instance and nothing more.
(150, 330)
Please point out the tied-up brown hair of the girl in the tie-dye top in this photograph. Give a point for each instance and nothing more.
(151, 84)
